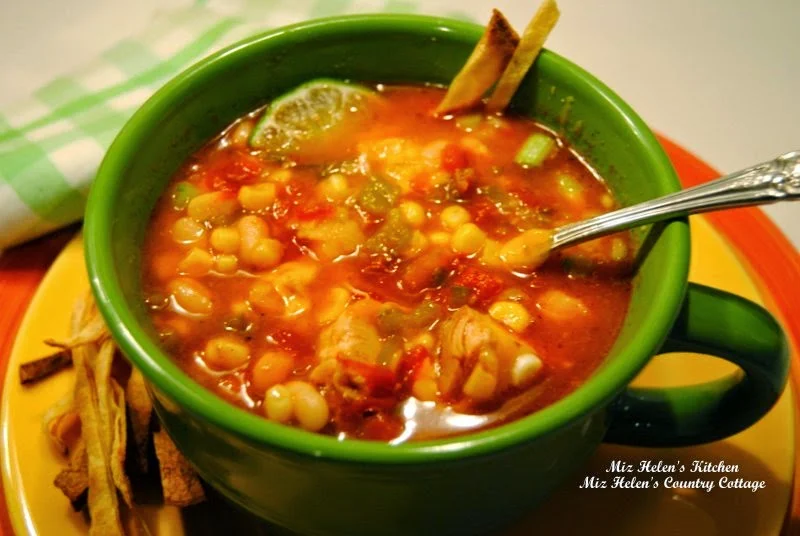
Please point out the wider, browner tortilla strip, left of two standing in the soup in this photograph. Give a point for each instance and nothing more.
(487, 61)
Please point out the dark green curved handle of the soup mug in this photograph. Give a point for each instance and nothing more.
(724, 325)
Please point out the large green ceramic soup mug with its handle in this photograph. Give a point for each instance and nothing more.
(316, 484)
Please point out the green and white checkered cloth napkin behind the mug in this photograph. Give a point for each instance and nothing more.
(52, 143)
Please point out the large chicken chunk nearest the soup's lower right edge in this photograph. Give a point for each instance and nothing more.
(478, 356)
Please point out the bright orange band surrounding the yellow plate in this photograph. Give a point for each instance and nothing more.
(763, 250)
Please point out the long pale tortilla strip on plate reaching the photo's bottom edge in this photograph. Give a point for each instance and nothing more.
(102, 499)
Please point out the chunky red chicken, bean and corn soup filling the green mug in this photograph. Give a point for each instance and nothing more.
(347, 262)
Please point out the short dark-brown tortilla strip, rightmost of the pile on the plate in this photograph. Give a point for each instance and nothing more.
(180, 483)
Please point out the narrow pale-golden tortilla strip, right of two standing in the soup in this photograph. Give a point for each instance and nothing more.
(530, 45)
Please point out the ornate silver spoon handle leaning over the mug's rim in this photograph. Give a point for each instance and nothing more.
(775, 180)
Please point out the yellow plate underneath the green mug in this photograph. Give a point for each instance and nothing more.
(764, 452)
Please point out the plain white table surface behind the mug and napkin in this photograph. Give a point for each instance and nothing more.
(719, 77)
